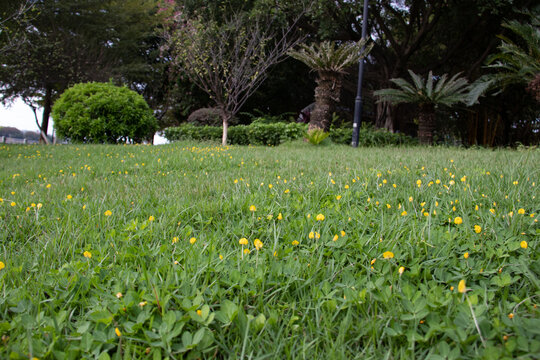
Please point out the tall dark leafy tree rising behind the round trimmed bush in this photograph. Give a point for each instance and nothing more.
(71, 41)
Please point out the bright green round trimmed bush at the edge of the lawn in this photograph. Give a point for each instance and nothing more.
(103, 113)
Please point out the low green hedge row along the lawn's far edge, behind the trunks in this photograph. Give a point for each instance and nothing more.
(277, 133)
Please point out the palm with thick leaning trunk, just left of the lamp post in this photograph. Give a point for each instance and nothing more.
(331, 62)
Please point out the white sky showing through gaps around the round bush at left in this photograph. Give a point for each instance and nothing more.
(20, 115)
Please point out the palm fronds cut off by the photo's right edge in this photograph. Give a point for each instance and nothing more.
(518, 64)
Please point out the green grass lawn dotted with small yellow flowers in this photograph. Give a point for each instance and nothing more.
(294, 298)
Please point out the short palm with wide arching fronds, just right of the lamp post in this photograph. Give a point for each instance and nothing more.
(428, 96)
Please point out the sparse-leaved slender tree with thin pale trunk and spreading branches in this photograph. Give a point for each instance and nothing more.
(227, 59)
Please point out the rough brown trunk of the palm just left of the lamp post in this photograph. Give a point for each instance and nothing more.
(327, 94)
